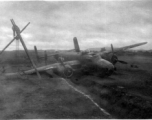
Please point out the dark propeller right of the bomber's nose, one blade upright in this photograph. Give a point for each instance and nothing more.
(114, 58)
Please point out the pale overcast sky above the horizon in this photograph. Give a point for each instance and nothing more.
(95, 24)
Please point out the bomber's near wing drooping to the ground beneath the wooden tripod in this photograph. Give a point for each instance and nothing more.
(44, 68)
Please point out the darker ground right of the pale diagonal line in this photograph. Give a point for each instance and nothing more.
(128, 92)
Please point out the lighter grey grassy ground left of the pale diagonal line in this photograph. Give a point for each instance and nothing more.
(31, 98)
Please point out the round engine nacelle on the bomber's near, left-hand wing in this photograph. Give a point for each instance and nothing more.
(66, 71)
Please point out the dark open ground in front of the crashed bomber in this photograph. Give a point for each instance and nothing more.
(125, 94)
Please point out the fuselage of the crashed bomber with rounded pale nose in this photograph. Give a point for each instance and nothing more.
(89, 62)
